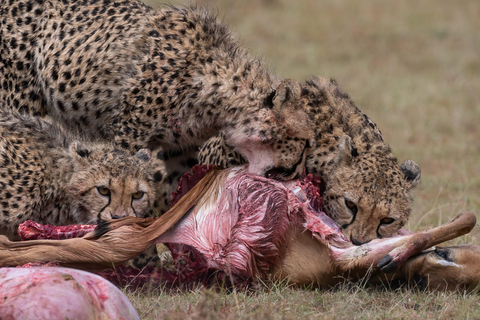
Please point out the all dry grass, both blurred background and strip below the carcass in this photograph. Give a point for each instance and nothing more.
(414, 68)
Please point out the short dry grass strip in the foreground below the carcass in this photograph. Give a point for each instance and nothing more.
(283, 302)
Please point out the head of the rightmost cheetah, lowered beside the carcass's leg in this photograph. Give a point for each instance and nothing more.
(368, 194)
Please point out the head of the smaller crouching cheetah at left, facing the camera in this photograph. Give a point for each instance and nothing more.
(107, 183)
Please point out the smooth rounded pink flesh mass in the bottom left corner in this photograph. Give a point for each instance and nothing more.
(60, 293)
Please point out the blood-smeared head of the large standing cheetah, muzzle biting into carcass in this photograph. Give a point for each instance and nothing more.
(277, 139)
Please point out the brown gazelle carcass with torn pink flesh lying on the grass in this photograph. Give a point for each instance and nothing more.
(250, 227)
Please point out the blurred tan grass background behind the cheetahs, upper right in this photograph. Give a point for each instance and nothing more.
(412, 66)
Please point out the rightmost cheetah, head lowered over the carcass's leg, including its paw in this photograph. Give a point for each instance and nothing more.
(366, 192)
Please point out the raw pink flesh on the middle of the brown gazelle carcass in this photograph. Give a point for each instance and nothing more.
(242, 230)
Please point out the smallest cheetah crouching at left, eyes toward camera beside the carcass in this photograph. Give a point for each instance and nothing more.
(46, 175)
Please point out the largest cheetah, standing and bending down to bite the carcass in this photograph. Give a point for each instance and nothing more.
(166, 80)
